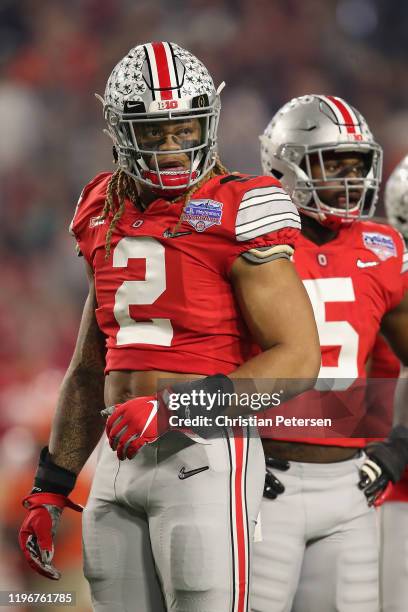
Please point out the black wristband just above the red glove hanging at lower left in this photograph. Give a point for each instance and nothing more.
(52, 478)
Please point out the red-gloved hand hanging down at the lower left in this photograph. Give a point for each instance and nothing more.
(36, 537)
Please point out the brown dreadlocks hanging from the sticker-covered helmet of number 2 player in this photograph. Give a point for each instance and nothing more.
(121, 187)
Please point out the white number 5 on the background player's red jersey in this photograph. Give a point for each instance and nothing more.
(335, 333)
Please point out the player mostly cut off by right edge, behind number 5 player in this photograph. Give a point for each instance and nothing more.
(384, 364)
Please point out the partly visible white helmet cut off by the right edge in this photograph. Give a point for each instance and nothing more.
(396, 198)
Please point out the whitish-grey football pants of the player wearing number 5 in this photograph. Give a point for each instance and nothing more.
(319, 548)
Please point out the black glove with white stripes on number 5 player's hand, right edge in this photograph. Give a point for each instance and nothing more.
(386, 463)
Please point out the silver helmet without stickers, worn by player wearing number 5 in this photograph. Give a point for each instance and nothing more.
(319, 126)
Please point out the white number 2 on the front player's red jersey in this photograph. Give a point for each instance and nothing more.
(155, 331)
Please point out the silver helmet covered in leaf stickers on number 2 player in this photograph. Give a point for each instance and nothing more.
(158, 82)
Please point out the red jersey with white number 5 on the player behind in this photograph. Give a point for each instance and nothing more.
(352, 282)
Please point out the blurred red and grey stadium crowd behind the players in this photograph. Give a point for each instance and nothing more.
(53, 56)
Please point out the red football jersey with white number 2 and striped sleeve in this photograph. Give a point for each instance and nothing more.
(165, 301)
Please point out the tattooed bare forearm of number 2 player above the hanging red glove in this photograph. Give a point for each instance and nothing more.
(77, 425)
